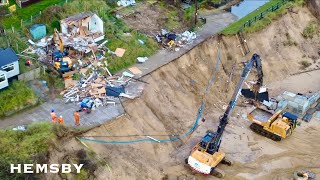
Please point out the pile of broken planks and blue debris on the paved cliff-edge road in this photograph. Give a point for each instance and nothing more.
(95, 90)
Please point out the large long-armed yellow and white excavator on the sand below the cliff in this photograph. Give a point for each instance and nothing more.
(206, 155)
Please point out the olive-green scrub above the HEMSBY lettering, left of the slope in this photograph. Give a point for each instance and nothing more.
(22, 147)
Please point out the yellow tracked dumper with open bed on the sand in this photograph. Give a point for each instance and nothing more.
(274, 126)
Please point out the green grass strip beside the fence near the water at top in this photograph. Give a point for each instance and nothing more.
(235, 27)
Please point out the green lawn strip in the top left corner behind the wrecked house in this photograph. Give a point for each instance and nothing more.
(26, 12)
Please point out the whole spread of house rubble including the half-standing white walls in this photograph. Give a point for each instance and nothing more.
(89, 77)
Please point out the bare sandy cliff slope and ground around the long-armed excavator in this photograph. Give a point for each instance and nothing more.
(169, 105)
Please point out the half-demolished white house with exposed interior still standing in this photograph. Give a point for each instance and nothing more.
(85, 24)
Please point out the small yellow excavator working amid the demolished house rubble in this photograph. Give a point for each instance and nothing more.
(62, 63)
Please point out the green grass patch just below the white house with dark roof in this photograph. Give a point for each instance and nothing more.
(16, 97)
